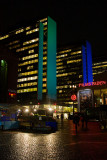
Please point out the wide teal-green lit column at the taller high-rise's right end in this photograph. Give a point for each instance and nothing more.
(51, 59)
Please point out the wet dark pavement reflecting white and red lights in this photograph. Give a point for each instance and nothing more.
(64, 144)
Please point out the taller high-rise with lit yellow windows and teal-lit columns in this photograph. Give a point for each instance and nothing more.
(35, 47)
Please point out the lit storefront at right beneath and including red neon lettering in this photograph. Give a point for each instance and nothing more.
(92, 94)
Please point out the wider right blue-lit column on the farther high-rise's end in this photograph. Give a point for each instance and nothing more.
(89, 62)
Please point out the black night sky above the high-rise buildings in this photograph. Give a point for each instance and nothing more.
(77, 20)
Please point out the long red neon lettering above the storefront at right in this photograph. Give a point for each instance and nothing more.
(98, 83)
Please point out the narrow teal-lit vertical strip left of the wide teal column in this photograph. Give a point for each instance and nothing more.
(40, 62)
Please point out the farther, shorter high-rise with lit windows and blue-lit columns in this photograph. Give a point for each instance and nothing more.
(74, 66)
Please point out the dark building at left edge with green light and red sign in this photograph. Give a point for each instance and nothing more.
(8, 76)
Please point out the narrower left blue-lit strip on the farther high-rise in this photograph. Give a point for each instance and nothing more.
(84, 61)
